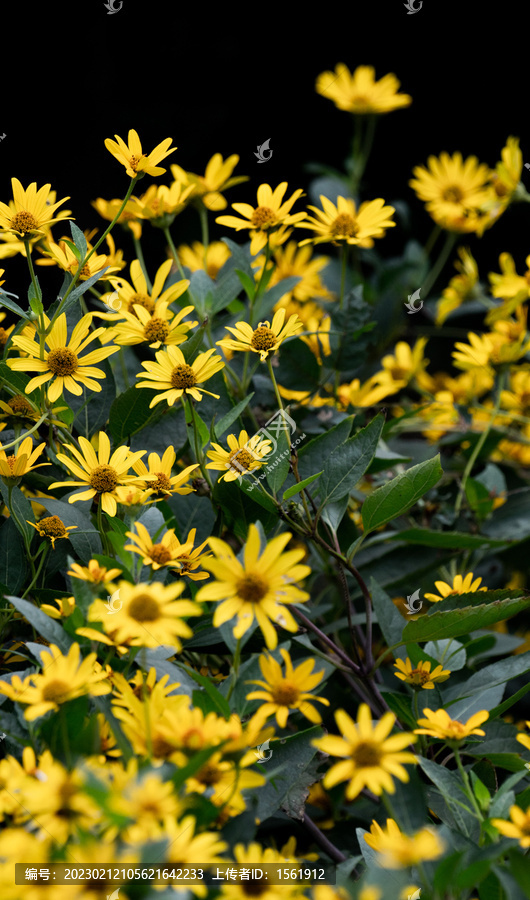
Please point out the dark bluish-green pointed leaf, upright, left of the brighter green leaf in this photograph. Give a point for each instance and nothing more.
(349, 461)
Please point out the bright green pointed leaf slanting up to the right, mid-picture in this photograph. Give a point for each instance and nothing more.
(396, 497)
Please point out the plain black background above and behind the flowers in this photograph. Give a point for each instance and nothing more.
(227, 78)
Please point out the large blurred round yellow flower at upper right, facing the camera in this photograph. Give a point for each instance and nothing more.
(454, 190)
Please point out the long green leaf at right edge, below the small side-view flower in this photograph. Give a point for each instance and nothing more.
(455, 622)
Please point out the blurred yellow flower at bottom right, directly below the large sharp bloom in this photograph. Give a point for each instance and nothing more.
(397, 850)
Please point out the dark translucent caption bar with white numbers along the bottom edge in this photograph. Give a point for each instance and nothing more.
(266, 873)
